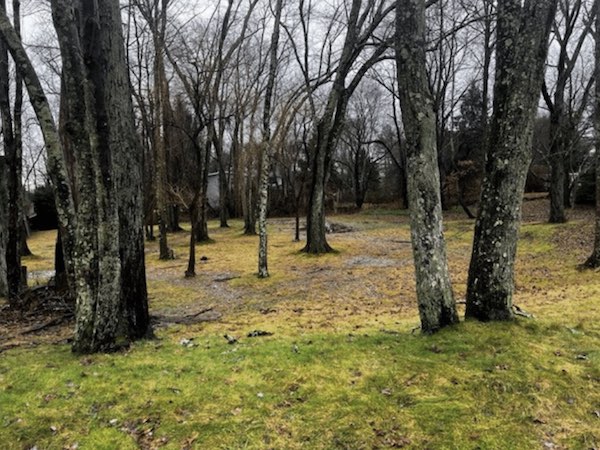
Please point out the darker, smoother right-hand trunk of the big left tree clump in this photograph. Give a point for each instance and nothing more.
(108, 67)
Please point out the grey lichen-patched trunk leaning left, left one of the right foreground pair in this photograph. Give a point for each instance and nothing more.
(434, 290)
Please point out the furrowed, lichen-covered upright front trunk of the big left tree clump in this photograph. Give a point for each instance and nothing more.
(97, 262)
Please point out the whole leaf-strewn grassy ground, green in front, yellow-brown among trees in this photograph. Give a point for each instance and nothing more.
(341, 365)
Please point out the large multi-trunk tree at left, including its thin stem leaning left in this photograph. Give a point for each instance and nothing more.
(93, 69)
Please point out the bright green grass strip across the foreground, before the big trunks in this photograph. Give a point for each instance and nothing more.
(486, 386)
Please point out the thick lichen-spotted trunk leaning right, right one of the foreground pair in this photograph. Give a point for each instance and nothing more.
(522, 44)
